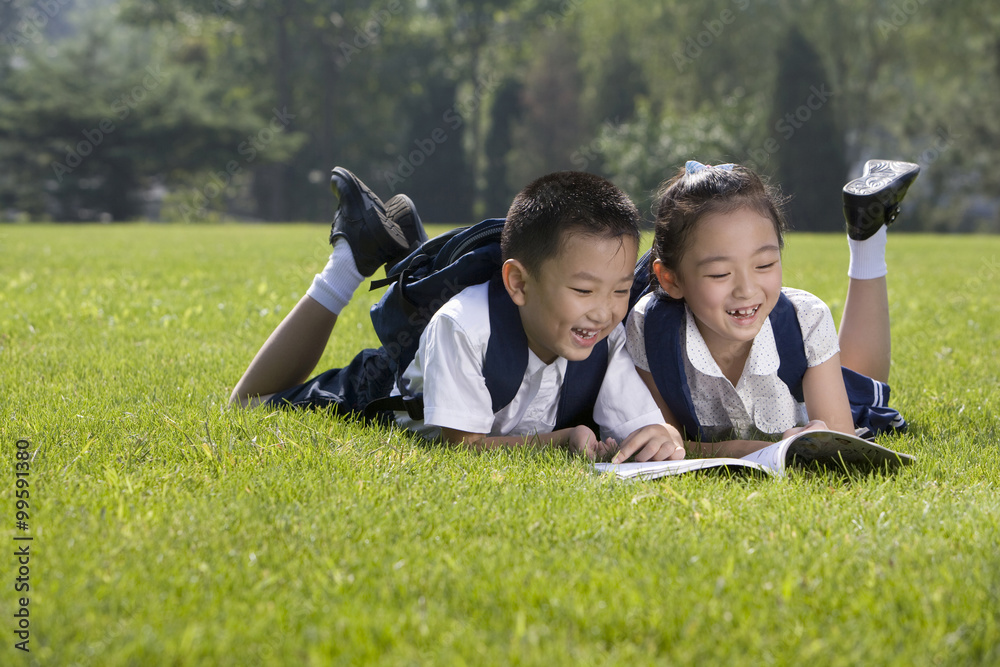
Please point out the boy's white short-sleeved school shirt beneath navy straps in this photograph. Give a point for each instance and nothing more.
(448, 369)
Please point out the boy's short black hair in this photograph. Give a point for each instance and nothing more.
(567, 200)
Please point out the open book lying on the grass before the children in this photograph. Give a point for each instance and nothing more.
(827, 449)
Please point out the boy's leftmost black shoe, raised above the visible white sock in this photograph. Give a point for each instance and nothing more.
(362, 220)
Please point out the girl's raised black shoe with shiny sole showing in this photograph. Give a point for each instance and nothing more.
(873, 200)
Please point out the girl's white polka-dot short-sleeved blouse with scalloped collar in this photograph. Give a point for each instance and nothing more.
(760, 403)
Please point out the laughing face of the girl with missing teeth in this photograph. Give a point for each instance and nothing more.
(730, 277)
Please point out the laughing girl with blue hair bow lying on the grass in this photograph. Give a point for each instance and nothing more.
(731, 356)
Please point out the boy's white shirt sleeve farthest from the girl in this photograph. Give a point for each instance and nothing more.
(455, 393)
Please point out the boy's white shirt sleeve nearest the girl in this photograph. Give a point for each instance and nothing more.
(624, 403)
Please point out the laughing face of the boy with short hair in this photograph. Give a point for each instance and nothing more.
(578, 297)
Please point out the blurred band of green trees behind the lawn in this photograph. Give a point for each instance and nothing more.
(204, 110)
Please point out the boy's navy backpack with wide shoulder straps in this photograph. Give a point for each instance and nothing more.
(434, 273)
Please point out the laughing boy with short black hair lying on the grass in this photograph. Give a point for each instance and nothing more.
(569, 248)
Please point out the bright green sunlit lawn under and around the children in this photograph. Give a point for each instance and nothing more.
(170, 530)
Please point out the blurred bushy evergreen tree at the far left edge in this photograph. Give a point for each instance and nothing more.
(95, 118)
